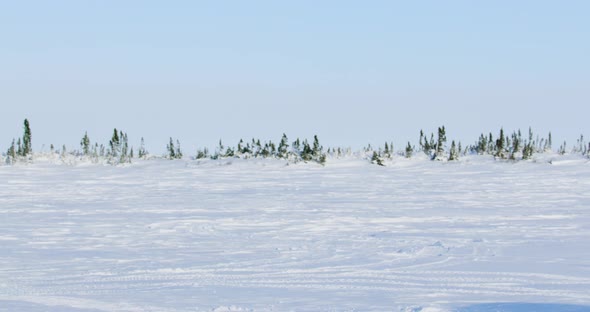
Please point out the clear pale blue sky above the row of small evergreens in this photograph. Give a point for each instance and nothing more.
(353, 72)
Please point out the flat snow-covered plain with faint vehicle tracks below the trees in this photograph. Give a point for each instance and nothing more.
(260, 235)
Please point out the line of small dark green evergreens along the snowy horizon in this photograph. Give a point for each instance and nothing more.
(513, 147)
